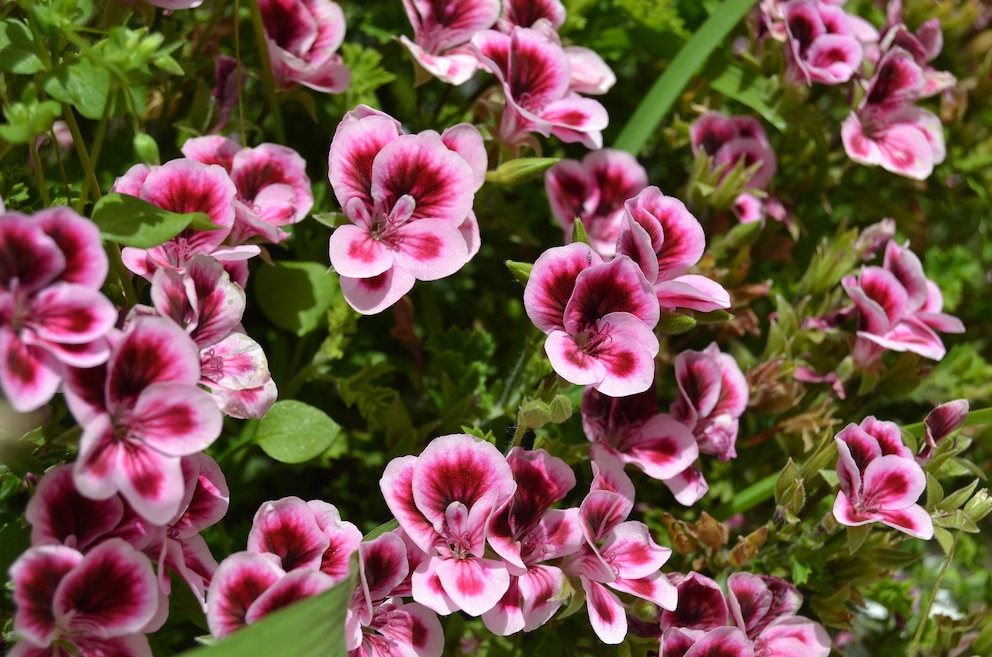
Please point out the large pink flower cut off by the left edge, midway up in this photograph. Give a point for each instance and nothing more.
(52, 314)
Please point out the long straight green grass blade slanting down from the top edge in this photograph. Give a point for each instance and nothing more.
(689, 60)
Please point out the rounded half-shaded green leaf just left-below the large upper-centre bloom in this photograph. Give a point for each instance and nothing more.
(296, 295)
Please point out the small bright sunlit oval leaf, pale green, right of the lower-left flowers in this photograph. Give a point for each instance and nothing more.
(294, 432)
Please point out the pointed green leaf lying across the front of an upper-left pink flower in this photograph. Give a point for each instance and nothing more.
(130, 221)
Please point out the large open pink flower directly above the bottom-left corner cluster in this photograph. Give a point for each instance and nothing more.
(141, 413)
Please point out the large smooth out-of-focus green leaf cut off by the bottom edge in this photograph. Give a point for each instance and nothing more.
(314, 627)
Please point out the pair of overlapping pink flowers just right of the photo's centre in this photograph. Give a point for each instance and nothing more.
(600, 316)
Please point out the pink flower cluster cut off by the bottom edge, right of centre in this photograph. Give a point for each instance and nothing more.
(758, 616)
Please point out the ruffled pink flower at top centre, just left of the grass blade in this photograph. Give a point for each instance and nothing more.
(536, 77)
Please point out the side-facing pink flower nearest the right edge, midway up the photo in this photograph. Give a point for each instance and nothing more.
(898, 308)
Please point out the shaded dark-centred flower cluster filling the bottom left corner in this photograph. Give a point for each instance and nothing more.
(88, 580)
